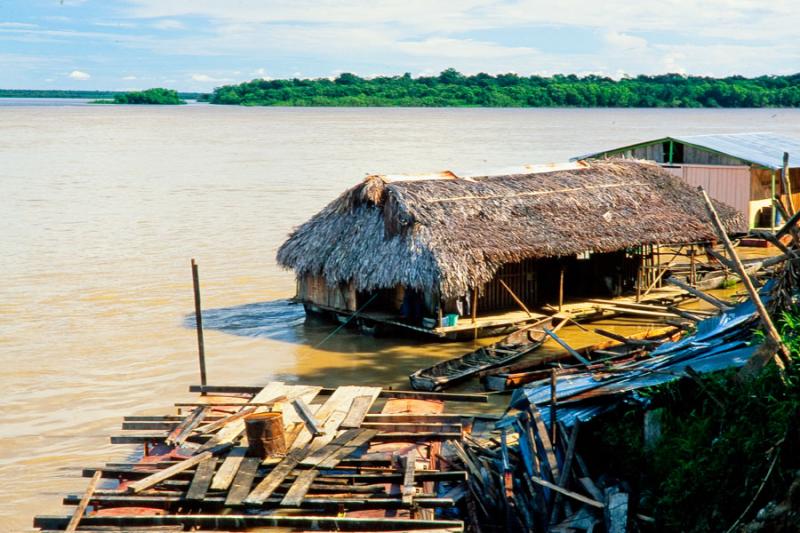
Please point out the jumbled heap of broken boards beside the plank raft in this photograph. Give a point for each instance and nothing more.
(520, 479)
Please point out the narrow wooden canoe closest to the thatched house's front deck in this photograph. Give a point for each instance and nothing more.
(509, 349)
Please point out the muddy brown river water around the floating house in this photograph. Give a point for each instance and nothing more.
(101, 209)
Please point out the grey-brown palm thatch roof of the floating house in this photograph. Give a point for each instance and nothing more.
(453, 233)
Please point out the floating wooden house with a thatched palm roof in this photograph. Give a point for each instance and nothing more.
(445, 253)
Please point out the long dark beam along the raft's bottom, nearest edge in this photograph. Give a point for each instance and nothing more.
(239, 521)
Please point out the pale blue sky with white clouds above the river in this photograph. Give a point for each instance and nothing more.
(200, 44)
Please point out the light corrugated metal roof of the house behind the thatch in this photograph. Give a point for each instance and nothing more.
(761, 148)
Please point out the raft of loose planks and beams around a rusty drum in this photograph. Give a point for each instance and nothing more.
(356, 458)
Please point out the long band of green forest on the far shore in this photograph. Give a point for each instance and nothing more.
(452, 88)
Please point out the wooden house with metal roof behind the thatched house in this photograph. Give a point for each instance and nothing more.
(744, 170)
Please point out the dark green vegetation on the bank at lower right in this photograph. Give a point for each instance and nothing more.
(724, 451)
